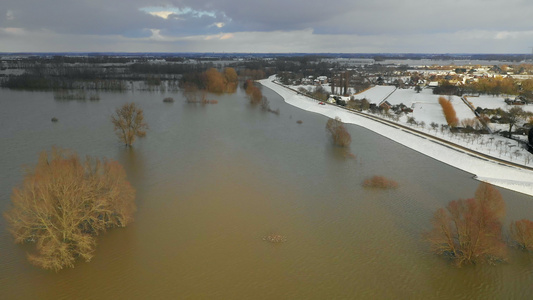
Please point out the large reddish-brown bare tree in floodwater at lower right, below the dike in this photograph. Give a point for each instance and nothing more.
(470, 231)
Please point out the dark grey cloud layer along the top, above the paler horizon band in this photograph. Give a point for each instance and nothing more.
(324, 17)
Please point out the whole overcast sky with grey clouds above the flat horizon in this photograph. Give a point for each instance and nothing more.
(316, 26)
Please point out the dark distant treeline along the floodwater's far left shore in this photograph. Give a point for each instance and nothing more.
(66, 73)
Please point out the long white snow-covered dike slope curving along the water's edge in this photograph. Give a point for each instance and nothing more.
(512, 178)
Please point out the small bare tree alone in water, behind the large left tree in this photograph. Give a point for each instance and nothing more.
(129, 123)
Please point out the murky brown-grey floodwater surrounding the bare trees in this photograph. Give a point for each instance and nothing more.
(213, 180)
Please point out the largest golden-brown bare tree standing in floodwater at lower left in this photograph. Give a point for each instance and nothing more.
(64, 203)
